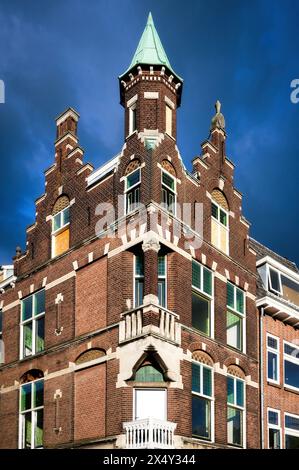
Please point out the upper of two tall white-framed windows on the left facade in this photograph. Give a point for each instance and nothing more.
(33, 324)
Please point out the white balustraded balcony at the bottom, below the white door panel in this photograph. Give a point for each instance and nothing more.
(149, 433)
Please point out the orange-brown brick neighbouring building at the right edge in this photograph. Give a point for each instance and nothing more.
(278, 305)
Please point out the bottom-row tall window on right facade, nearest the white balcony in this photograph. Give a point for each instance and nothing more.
(202, 401)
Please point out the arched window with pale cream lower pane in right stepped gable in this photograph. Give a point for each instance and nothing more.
(220, 221)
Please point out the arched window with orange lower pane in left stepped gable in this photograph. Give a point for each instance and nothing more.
(61, 226)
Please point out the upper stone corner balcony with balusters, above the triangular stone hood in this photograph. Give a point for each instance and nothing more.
(150, 320)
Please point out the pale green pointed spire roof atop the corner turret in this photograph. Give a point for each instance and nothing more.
(150, 50)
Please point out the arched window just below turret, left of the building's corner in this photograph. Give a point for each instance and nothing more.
(132, 186)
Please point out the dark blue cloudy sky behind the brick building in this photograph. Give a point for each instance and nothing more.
(60, 53)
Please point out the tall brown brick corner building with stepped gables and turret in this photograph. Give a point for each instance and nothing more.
(140, 331)
